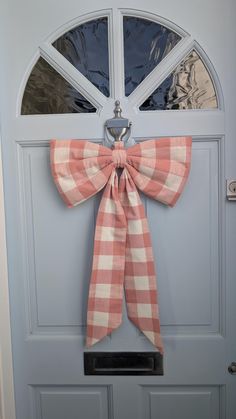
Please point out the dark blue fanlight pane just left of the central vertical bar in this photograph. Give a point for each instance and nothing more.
(86, 47)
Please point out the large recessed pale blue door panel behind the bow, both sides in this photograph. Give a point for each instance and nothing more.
(54, 236)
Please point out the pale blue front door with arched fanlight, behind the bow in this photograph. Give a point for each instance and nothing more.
(173, 70)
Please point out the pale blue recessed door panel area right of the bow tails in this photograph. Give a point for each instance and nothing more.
(187, 252)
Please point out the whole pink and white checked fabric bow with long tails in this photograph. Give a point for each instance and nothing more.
(123, 257)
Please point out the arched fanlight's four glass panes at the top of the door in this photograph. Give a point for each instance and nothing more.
(145, 45)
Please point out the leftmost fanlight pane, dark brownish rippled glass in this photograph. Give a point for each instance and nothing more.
(48, 92)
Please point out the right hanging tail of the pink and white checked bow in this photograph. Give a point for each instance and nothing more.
(140, 280)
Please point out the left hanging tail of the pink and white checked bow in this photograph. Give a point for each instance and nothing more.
(104, 312)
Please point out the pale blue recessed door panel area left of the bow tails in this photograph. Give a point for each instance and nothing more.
(55, 246)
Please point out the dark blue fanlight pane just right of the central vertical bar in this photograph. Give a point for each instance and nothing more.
(146, 43)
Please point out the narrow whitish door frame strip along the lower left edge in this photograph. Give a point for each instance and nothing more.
(7, 401)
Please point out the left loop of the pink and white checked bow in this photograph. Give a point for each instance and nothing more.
(80, 169)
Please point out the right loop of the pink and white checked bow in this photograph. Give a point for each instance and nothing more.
(160, 168)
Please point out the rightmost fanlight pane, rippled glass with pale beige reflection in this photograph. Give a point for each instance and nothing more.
(189, 86)
